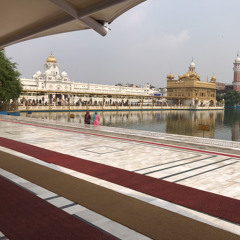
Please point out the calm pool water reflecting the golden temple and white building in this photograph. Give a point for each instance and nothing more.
(222, 124)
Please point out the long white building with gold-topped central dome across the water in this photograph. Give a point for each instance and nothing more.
(54, 81)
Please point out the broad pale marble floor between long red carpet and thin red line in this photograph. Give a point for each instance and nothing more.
(211, 172)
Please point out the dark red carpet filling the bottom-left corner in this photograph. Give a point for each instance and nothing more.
(30, 217)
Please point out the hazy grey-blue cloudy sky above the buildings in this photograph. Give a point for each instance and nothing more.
(144, 45)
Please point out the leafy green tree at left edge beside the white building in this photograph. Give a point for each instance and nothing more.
(10, 85)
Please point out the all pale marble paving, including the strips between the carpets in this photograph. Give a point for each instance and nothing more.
(211, 172)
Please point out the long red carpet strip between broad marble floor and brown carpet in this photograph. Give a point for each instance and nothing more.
(206, 202)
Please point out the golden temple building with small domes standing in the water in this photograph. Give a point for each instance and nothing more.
(188, 90)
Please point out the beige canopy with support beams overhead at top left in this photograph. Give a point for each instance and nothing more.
(22, 20)
